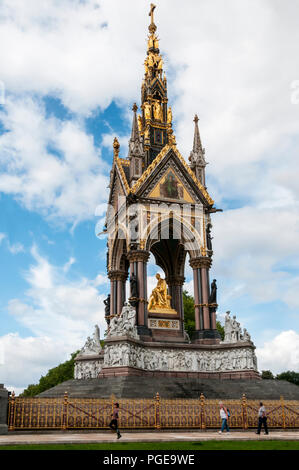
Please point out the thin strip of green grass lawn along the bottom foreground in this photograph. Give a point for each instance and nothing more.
(205, 445)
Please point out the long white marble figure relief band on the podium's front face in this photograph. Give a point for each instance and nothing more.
(126, 354)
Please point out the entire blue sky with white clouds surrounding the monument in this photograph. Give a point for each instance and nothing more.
(70, 72)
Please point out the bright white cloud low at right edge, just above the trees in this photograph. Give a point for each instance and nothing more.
(280, 354)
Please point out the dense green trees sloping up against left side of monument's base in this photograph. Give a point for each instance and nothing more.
(55, 376)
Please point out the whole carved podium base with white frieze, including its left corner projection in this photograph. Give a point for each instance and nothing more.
(130, 356)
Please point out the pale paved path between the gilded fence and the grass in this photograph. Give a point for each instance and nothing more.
(162, 436)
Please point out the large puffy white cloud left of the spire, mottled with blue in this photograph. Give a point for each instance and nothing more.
(50, 166)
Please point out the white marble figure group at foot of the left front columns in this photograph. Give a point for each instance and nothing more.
(124, 324)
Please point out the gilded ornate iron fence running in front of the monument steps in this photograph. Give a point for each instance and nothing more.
(156, 413)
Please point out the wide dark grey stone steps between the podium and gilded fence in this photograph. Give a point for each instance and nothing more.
(147, 387)
